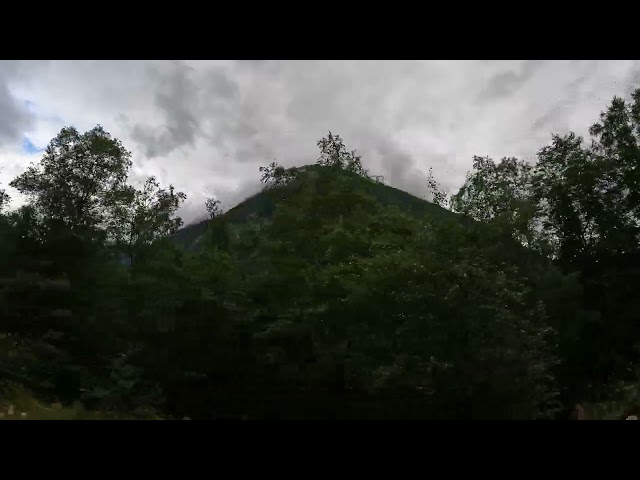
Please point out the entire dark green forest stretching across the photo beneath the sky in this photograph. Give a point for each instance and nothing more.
(329, 294)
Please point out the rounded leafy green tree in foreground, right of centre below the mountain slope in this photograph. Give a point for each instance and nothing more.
(464, 331)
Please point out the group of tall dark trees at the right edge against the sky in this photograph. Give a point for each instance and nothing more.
(579, 206)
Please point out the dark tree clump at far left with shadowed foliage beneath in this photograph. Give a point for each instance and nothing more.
(63, 296)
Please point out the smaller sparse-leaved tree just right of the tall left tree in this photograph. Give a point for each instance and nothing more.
(141, 217)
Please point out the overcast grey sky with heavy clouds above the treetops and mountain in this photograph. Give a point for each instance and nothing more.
(207, 126)
